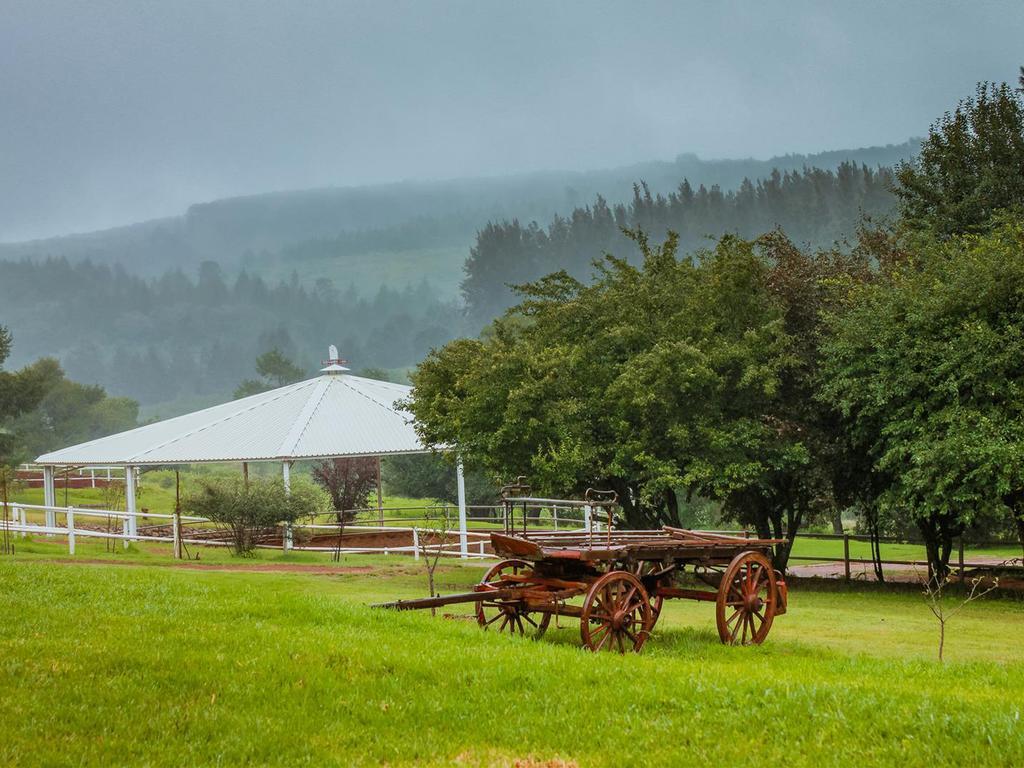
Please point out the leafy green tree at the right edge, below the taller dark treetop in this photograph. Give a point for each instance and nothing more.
(927, 364)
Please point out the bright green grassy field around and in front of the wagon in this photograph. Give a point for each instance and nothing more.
(156, 665)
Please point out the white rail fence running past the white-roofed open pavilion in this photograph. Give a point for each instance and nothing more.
(18, 524)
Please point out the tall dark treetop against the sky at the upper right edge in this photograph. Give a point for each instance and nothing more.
(969, 168)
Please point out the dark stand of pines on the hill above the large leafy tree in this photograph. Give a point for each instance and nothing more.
(815, 207)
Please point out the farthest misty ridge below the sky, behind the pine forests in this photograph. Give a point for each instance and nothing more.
(404, 232)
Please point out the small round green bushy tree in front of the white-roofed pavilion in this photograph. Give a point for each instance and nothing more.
(253, 508)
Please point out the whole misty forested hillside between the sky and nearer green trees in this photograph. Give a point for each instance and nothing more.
(146, 312)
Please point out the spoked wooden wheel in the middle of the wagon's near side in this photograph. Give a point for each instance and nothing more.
(617, 614)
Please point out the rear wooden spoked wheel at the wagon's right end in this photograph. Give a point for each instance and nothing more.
(747, 602)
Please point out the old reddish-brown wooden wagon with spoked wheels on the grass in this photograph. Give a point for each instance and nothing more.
(624, 577)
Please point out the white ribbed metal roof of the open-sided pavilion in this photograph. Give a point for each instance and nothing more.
(334, 415)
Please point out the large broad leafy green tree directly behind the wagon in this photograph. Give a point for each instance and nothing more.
(652, 381)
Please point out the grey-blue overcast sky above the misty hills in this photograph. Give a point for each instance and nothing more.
(113, 112)
